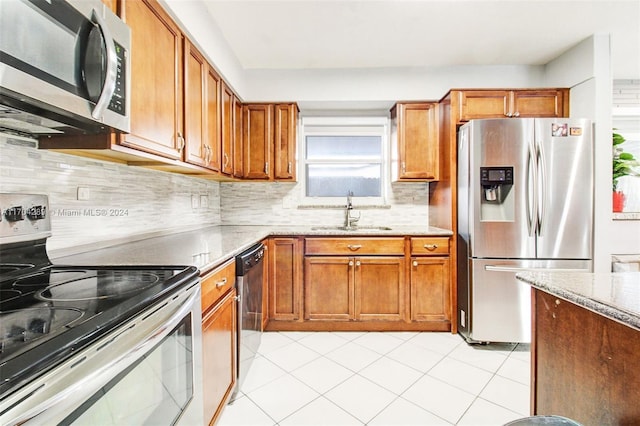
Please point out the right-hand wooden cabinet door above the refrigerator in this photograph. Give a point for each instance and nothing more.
(538, 103)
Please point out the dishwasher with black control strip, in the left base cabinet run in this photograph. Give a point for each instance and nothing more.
(249, 281)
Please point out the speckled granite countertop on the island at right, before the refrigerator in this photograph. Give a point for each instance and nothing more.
(613, 295)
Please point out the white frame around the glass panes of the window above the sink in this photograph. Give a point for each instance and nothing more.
(341, 126)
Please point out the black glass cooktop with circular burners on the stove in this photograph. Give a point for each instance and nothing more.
(50, 311)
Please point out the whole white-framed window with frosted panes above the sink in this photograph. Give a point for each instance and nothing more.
(342, 155)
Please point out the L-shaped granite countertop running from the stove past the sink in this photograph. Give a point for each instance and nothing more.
(210, 246)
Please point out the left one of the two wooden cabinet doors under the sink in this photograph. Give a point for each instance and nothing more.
(328, 288)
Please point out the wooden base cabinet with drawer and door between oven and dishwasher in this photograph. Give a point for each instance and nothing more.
(219, 338)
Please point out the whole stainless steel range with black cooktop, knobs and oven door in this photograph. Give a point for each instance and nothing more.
(106, 345)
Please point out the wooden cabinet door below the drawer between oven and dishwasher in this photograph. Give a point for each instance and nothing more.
(219, 355)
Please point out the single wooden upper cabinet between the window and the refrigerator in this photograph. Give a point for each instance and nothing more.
(414, 128)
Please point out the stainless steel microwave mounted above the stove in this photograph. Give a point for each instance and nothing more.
(64, 68)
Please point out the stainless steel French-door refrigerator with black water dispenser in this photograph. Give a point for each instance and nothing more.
(525, 201)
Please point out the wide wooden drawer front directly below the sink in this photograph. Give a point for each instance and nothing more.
(354, 246)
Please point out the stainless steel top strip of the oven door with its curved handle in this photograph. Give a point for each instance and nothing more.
(57, 399)
